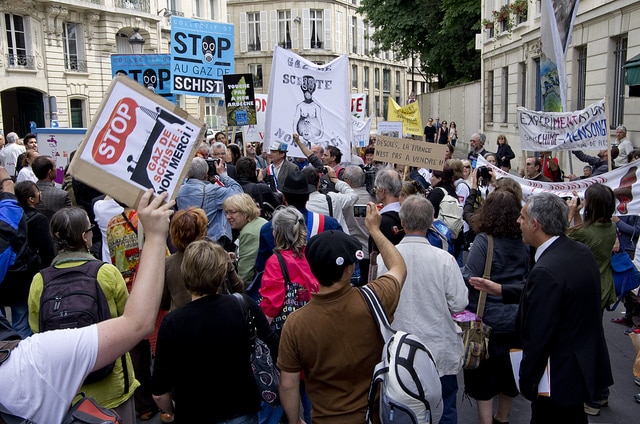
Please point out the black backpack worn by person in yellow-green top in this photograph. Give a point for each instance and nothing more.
(73, 298)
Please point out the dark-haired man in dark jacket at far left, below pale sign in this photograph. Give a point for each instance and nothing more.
(53, 198)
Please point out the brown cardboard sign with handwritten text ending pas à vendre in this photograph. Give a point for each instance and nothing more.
(402, 151)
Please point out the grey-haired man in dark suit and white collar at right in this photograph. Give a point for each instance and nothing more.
(560, 318)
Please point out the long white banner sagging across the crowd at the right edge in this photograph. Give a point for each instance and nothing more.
(623, 181)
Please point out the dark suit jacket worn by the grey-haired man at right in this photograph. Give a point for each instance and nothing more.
(560, 319)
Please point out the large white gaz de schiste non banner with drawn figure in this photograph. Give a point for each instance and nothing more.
(311, 100)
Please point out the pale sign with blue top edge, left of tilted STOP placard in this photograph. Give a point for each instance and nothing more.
(59, 143)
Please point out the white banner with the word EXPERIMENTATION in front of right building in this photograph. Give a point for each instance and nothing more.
(549, 131)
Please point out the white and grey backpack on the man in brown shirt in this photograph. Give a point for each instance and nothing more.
(410, 389)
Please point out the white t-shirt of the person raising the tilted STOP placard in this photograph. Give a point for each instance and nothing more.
(46, 371)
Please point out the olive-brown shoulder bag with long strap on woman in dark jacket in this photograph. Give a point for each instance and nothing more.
(476, 333)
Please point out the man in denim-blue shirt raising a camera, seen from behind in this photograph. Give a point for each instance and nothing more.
(201, 192)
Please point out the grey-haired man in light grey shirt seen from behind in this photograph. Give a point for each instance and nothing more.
(425, 309)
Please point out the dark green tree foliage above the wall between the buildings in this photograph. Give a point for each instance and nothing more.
(439, 32)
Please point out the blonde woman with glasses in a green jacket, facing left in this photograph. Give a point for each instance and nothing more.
(244, 215)
